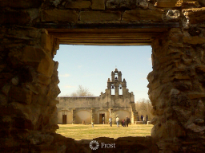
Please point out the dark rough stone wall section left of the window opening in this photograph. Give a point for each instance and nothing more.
(29, 86)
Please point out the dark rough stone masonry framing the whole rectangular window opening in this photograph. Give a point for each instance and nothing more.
(30, 33)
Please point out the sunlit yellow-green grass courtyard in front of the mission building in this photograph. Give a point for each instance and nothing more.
(80, 131)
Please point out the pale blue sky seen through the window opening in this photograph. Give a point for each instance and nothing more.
(91, 66)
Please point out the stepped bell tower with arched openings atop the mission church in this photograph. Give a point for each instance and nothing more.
(116, 85)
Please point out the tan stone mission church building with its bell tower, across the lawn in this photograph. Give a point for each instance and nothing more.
(116, 101)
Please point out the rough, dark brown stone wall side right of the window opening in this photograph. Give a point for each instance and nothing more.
(177, 90)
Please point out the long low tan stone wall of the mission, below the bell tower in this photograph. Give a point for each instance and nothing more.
(100, 105)
